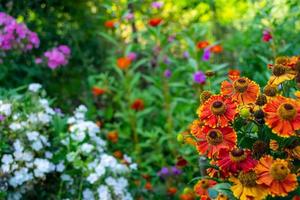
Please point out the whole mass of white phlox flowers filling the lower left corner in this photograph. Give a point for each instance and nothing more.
(26, 121)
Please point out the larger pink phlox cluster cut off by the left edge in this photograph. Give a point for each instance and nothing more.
(14, 35)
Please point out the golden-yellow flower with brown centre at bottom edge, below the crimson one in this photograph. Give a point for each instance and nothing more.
(245, 187)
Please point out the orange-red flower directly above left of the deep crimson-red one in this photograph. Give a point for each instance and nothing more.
(214, 139)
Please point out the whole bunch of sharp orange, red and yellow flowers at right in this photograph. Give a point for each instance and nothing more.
(251, 136)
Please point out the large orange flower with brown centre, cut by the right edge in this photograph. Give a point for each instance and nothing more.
(282, 115)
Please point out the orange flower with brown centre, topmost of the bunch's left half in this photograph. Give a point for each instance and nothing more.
(240, 89)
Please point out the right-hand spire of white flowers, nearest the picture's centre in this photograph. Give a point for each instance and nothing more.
(85, 134)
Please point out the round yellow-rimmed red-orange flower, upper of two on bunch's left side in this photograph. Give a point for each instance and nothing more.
(217, 111)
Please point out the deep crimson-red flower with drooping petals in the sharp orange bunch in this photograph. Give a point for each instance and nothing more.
(235, 160)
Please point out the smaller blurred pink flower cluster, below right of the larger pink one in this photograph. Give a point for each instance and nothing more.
(57, 56)
